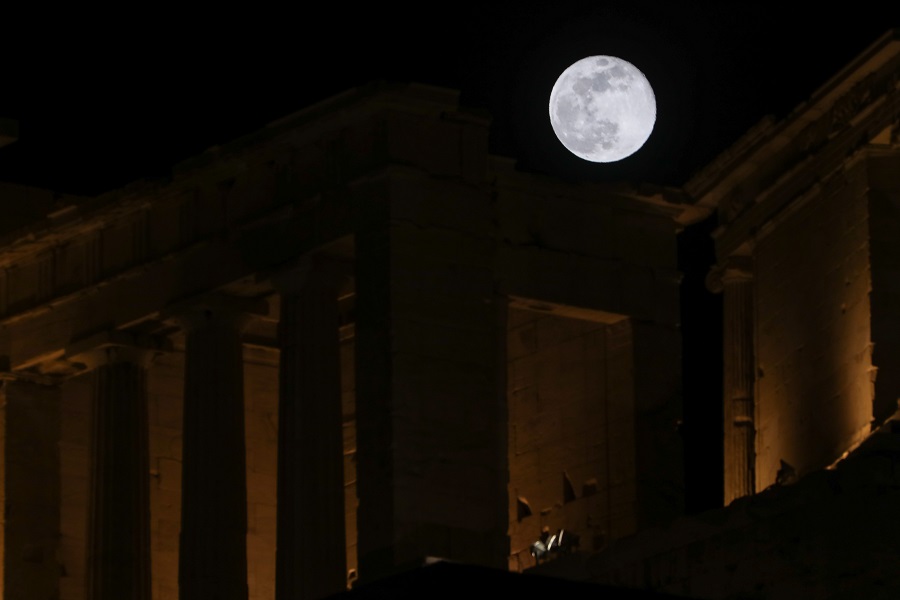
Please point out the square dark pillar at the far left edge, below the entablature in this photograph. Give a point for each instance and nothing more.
(31, 494)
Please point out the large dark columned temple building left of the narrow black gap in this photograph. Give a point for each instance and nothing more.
(337, 346)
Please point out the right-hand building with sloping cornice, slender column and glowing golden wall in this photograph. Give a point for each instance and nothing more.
(806, 255)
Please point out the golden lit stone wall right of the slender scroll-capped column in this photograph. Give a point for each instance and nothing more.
(814, 394)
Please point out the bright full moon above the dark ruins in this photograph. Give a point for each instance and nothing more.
(602, 109)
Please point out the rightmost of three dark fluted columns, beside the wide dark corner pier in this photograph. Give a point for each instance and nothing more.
(311, 560)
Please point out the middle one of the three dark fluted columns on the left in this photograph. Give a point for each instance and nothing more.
(212, 562)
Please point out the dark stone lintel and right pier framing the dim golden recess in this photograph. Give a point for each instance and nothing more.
(599, 256)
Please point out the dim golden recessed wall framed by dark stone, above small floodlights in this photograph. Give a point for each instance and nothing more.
(571, 430)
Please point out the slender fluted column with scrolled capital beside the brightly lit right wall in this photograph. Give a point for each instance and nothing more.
(736, 282)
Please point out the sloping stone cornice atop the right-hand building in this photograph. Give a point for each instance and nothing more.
(774, 163)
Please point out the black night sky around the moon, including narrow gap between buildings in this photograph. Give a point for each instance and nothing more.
(104, 101)
